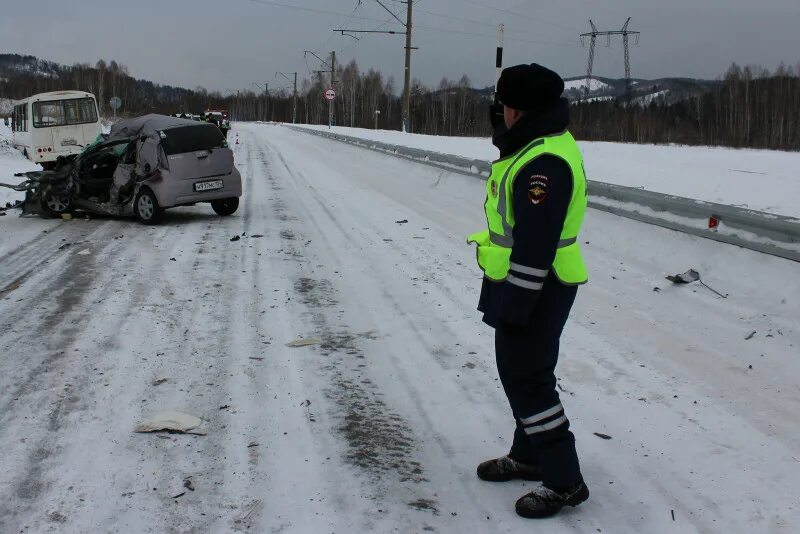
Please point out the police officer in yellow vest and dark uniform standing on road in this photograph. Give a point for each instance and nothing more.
(532, 265)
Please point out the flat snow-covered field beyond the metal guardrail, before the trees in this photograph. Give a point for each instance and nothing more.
(763, 180)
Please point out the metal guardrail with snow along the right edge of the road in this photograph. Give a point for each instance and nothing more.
(776, 235)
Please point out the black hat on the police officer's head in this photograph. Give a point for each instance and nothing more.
(529, 87)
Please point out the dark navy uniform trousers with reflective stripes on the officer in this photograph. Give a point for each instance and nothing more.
(526, 361)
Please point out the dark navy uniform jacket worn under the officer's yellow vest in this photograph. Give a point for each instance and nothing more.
(540, 207)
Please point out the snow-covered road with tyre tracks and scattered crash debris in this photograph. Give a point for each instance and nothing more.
(378, 428)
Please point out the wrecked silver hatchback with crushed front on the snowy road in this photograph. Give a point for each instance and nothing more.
(143, 166)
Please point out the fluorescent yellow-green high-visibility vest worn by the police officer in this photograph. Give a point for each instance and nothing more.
(494, 244)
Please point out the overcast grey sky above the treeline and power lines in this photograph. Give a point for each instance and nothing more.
(231, 44)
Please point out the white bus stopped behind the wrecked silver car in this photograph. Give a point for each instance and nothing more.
(49, 125)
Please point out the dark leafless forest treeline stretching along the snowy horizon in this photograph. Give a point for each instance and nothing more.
(748, 107)
